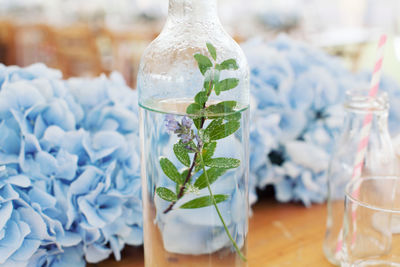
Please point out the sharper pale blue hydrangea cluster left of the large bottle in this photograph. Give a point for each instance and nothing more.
(69, 186)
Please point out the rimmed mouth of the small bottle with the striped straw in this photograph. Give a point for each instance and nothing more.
(360, 100)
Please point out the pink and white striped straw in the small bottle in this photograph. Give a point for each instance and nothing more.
(365, 130)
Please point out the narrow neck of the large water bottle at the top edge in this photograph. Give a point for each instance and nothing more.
(193, 11)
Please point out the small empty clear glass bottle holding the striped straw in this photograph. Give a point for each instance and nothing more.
(379, 159)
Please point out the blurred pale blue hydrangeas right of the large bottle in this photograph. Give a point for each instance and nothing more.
(297, 94)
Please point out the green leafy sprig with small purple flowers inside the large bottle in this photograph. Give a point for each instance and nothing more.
(224, 121)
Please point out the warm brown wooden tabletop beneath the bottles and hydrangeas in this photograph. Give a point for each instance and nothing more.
(280, 235)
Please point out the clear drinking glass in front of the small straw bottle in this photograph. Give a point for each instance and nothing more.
(371, 226)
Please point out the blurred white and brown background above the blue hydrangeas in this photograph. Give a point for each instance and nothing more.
(89, 37)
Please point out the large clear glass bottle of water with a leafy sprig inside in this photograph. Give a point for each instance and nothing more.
(193, 87)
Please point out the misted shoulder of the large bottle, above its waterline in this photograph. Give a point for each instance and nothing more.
(168, 68)
